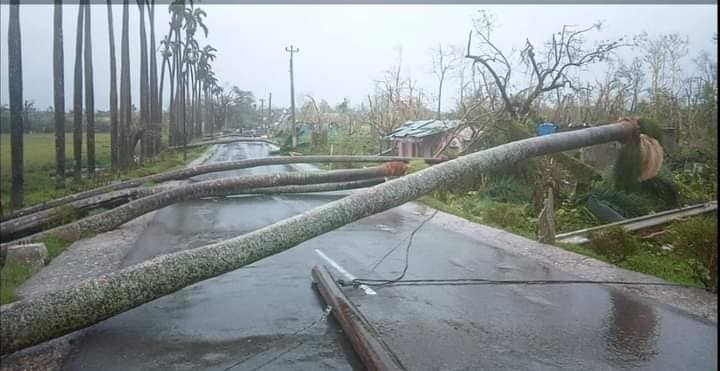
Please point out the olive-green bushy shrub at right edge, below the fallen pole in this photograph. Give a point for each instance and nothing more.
(696, 239)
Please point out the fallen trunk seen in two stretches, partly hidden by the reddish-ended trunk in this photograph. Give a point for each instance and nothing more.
(24, 226)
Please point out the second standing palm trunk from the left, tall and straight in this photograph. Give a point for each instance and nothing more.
(59, 96)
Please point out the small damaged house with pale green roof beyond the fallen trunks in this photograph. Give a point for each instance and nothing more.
(424, 138)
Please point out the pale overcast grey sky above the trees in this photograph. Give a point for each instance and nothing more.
(343, 48)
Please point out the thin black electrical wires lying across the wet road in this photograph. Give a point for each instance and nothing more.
(399, 281)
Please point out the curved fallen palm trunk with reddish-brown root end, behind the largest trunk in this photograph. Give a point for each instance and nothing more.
(114, 218)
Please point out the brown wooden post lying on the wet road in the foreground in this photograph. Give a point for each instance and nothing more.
(373, 352)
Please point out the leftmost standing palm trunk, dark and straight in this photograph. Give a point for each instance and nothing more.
(16, 105)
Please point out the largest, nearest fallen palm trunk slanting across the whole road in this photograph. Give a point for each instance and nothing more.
(37, 319)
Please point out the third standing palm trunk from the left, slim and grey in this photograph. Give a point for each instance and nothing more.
(77, 98)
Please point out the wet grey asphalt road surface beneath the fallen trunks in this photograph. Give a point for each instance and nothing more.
(267, 316)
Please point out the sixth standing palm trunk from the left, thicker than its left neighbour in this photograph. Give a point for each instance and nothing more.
(125, 98)
